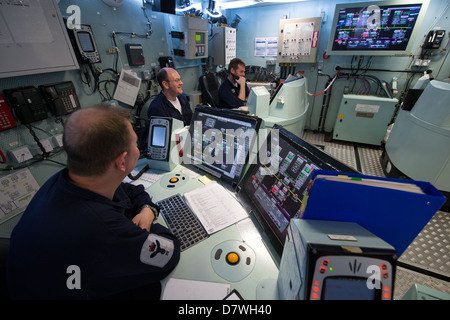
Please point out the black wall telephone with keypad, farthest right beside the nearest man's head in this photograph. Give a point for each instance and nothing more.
(61, 97)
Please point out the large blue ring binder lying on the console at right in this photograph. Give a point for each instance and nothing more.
(396, 216)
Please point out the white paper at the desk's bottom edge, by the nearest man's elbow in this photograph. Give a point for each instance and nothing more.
(179, 289)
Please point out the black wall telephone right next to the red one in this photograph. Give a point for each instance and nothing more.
(26, 103)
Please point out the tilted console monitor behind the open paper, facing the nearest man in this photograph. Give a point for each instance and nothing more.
(221, 140)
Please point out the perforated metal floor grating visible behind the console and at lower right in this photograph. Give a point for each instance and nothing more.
(429, 253)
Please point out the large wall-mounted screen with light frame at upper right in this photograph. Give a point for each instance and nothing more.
(376, 28)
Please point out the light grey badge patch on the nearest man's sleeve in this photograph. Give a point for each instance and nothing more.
(156, 251)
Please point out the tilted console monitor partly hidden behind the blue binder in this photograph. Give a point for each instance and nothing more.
(275, 187)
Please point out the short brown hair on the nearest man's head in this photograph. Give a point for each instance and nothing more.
(92, 145)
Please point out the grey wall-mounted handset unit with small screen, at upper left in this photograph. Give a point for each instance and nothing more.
(84, 44)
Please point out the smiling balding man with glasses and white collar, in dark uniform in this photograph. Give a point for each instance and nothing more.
(170, 102)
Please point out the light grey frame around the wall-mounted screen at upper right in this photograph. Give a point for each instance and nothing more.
(363, 52)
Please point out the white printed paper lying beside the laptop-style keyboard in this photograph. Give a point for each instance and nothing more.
(215, 207)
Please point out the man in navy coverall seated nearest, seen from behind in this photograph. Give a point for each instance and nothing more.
(85, 234)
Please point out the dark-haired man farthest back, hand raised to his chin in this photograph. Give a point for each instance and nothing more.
(233, 91)
